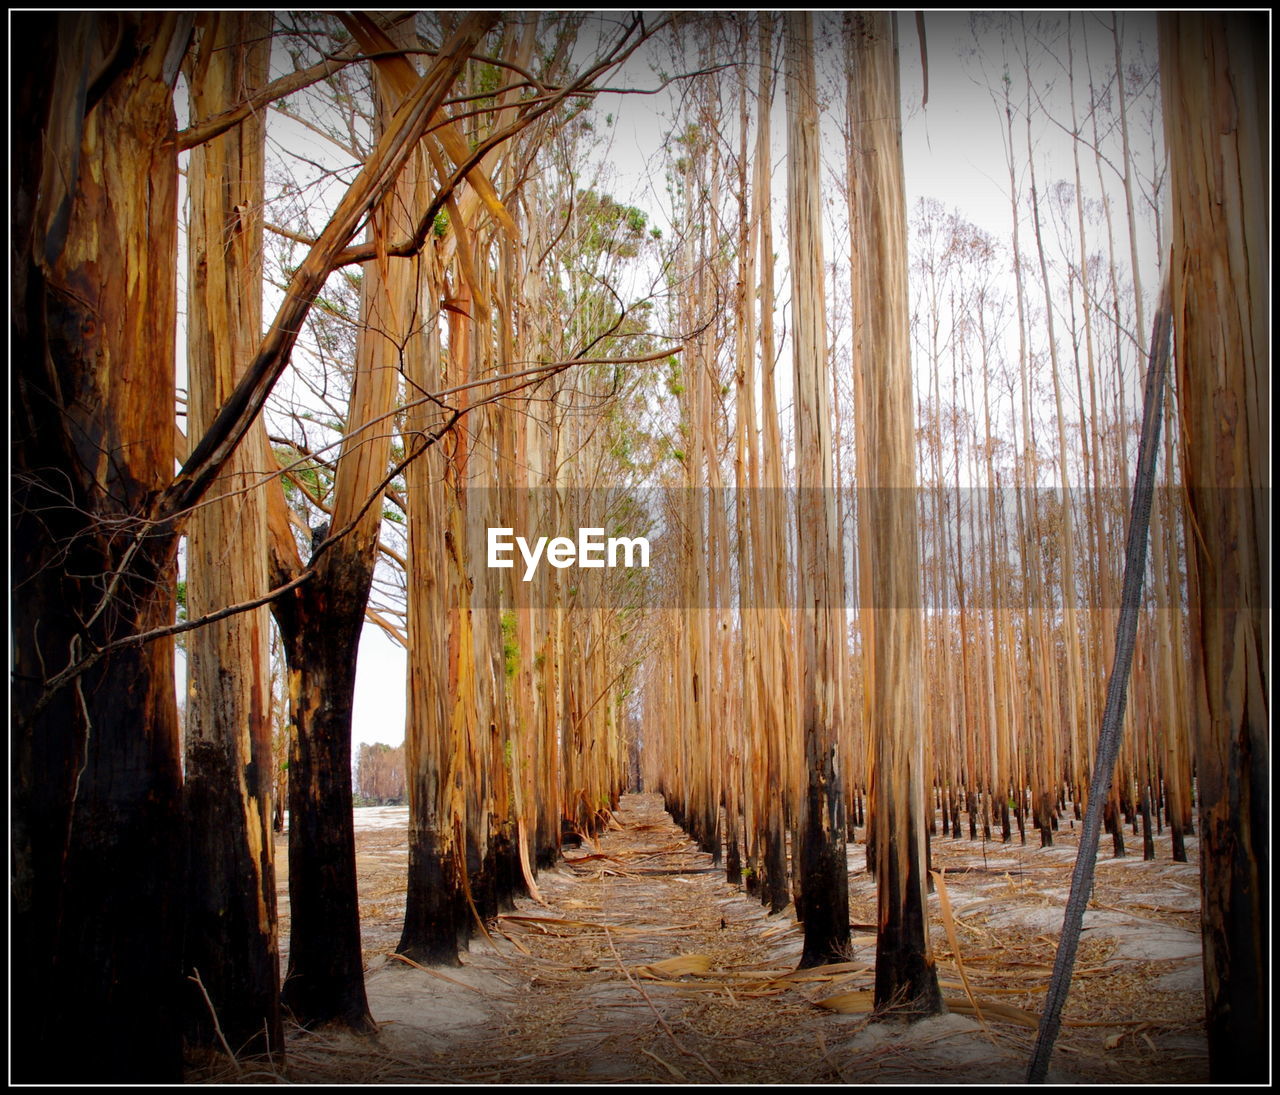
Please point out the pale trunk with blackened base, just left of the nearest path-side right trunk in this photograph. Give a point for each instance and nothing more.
(824, 872)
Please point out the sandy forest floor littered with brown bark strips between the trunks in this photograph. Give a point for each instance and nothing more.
(646, 966)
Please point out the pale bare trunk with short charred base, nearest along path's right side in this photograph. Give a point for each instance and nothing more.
(906, 975)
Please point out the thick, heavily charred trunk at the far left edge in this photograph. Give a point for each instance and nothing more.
(97, 801)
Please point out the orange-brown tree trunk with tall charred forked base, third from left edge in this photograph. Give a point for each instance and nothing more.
(322, 626)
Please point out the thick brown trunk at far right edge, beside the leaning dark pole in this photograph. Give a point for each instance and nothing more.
(1215, 88)
